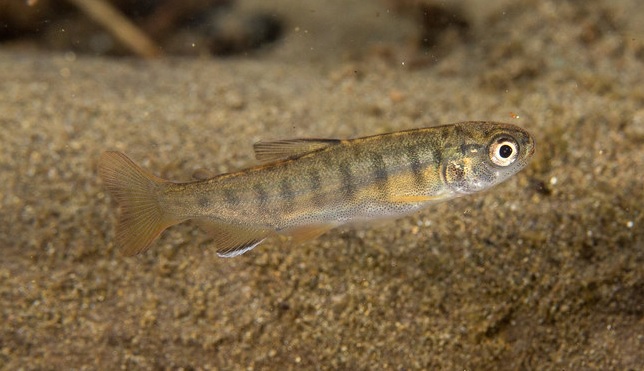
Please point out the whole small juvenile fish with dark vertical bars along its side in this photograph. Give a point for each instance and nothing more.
(309, 186)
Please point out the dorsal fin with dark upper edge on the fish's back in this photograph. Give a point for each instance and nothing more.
(290, 148)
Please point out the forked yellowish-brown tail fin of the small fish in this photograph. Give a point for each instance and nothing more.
(142, 218)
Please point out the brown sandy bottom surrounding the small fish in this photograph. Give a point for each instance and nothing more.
(542, 272)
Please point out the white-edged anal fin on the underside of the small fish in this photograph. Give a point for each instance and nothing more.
(233, 239)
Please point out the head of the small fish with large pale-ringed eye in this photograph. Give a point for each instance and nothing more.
(483, 154)
